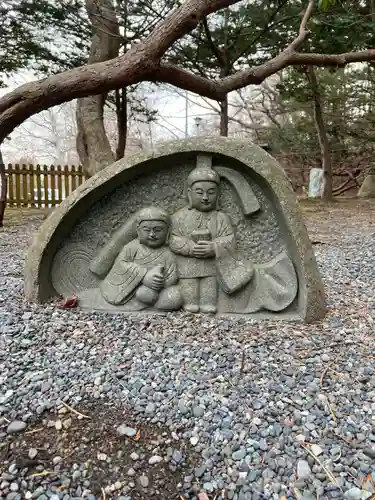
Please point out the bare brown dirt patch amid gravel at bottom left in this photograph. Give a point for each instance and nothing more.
(91, 439)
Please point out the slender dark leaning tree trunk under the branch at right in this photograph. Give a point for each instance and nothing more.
(322, 136)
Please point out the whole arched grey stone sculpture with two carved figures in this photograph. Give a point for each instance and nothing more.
(212, 227)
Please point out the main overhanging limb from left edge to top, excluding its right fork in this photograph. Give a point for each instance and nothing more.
(99, 78)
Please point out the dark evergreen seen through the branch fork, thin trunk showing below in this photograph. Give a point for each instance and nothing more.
(233, 39)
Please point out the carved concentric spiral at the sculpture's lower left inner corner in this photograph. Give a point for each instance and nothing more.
(70, 270)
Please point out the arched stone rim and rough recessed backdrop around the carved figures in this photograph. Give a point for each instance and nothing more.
(90, 216)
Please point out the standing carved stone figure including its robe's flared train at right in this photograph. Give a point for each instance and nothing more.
(214, 276)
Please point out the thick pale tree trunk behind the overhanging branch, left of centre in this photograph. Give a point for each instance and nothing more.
(93, 146)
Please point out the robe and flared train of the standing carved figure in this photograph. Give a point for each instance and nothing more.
(243, 287)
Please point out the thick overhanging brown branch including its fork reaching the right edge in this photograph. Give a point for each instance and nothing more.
(142, 62)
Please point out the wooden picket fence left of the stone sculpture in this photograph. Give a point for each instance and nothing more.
(41, 185)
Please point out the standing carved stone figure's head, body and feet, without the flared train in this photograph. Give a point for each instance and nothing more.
(200, 232)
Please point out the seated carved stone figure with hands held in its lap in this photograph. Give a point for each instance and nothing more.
(145, 272)
